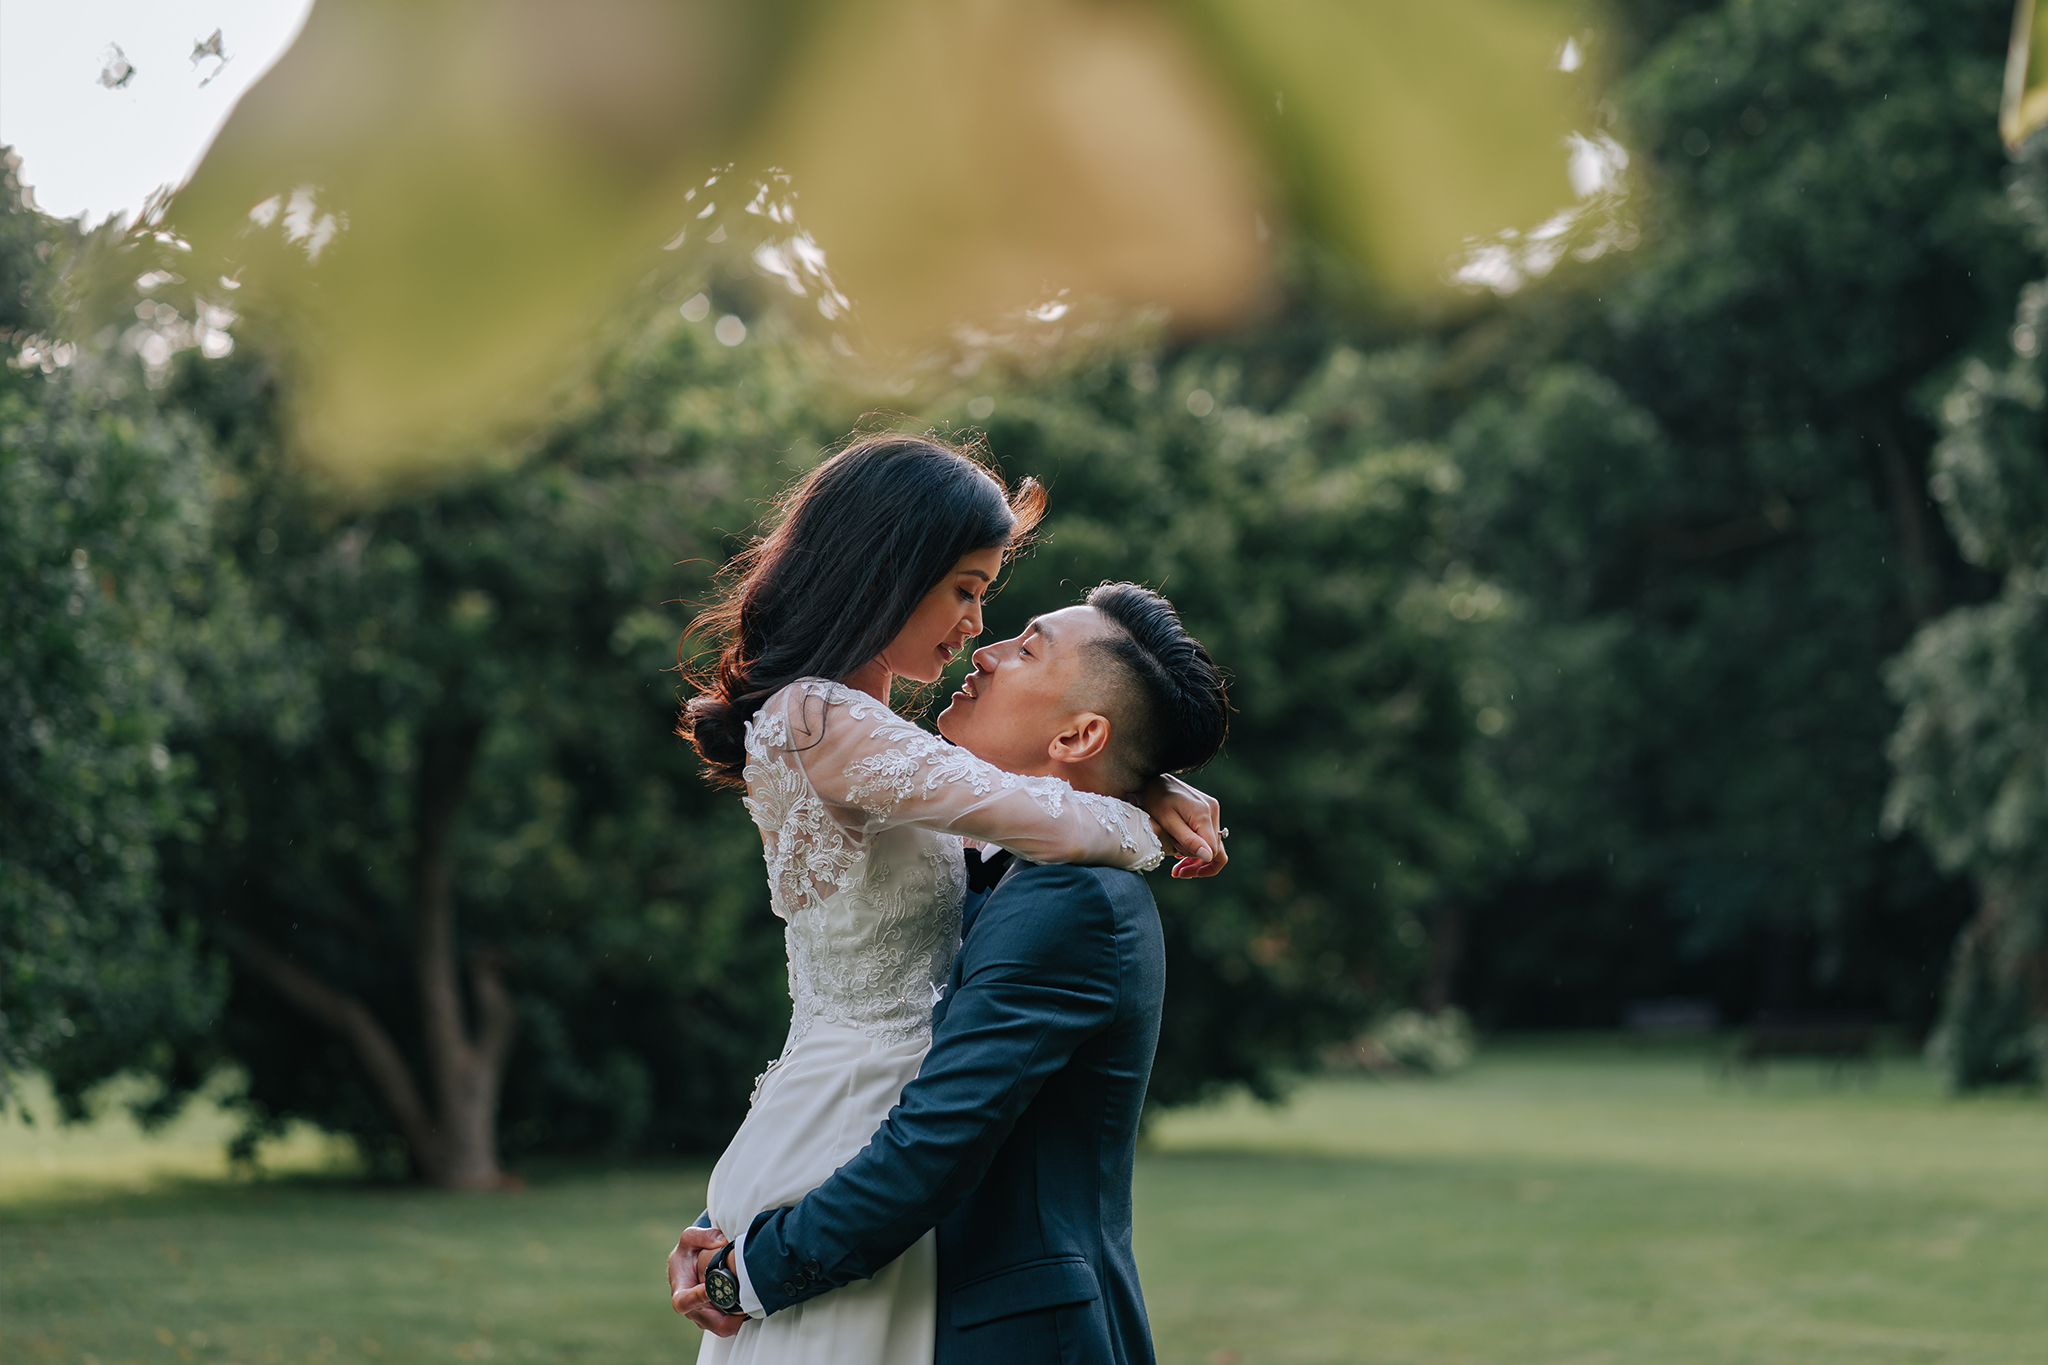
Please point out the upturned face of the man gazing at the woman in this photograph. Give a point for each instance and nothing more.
(1025, 691)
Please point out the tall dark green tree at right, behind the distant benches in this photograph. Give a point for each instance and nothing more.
(1699, 470)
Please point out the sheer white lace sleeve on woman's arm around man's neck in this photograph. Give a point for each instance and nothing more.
(878, 770)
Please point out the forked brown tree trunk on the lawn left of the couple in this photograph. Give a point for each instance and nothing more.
(454, 1141)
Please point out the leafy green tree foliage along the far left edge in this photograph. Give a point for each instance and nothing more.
(105, 523)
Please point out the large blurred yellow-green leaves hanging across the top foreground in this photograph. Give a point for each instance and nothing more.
(435, 202)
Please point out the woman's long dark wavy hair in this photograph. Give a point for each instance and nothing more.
(855, 545)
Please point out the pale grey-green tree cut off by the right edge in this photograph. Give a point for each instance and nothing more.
(1971, 752)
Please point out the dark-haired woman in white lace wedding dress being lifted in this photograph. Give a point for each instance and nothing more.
(878, 570)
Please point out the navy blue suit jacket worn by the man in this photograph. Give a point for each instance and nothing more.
(1015, 1141)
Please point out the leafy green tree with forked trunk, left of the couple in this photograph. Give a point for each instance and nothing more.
(484, 848)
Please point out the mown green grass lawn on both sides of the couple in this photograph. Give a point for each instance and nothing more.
(1566, 1202)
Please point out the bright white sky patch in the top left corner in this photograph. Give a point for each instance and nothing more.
(97, 150)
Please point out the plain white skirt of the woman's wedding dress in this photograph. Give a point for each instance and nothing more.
(816, 1110)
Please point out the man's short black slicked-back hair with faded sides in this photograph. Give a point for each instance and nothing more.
(1164, 695)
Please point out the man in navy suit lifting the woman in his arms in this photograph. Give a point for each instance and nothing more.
(1019, 1133)
